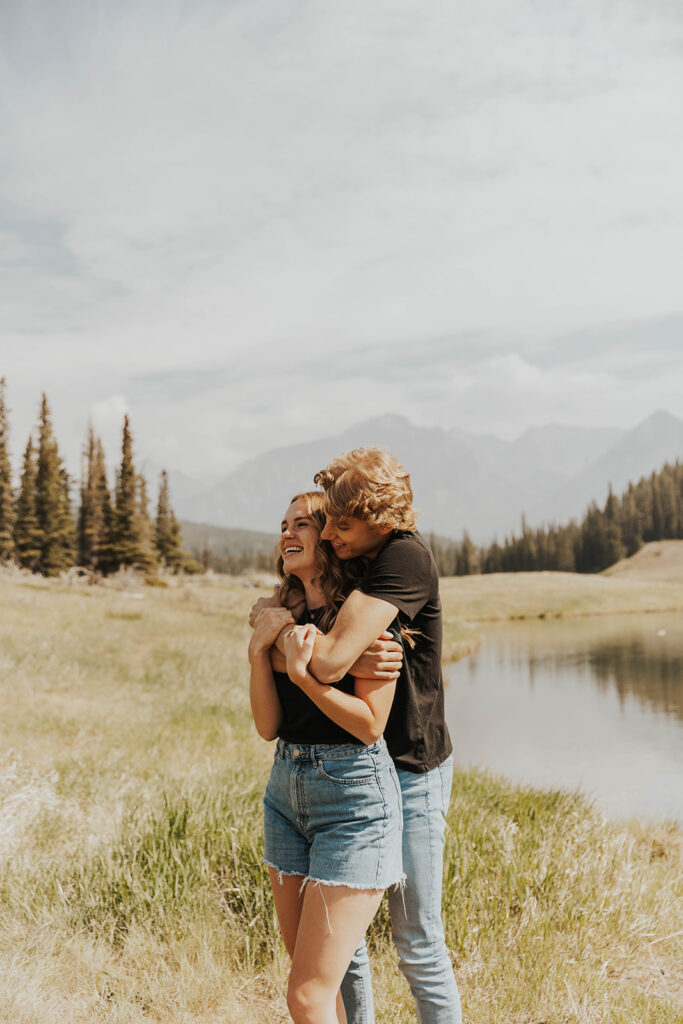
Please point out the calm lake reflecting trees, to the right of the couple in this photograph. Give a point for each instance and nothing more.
(594, 704)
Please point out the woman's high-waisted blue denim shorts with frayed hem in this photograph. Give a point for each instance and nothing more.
(333, 815)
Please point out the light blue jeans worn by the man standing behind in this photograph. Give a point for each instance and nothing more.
(416, 915)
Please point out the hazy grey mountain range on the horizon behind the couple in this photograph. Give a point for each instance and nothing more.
(461, 482)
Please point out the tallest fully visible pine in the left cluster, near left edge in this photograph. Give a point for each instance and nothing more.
(53, 501)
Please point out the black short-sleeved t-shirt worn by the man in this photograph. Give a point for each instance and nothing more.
(405, 575)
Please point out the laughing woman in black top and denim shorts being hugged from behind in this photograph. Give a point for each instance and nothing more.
(333, 813)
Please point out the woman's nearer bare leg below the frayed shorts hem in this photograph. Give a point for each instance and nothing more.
(332, 922)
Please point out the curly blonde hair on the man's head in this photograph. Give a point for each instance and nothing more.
(371, 485)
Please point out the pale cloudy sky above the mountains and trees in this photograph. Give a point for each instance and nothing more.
(247, 224)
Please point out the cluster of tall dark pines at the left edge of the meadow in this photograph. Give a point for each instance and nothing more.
(111, 530)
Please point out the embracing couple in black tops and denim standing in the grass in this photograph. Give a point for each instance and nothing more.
(347, 675)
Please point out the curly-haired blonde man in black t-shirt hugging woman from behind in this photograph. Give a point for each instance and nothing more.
(370, 517)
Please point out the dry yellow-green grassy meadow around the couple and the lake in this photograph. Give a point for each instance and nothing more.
(131, 788)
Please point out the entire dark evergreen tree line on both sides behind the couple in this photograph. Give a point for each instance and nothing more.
(113, 529)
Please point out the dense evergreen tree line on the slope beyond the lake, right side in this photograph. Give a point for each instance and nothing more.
(649, 510)
